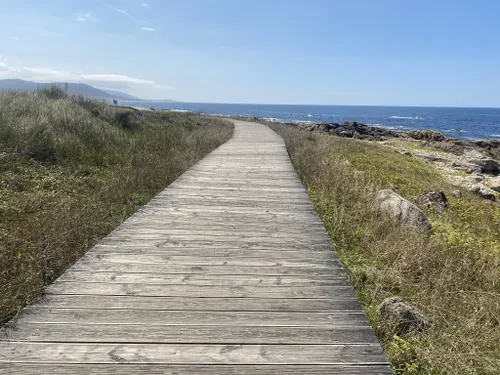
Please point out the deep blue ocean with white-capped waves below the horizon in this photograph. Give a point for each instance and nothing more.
(467, 123)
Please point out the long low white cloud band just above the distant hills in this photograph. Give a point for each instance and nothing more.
(110, 81)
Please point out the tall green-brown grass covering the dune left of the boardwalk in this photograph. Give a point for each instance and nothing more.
(71, 170)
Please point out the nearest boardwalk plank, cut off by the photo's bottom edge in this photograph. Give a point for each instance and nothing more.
(158, 369)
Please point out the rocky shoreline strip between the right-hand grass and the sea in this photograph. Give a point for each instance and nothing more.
(472, 165)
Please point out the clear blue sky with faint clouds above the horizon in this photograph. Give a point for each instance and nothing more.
(366, 52)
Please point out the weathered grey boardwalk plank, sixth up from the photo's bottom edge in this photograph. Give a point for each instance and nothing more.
(241, 291)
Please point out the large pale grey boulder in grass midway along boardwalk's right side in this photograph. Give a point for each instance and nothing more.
(402, 211)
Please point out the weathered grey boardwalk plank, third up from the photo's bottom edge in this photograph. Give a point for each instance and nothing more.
(187, 334)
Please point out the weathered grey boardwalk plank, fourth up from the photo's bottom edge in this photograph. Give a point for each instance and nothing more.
(37, 314)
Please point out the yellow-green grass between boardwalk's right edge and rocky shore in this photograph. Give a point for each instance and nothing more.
(453, 276)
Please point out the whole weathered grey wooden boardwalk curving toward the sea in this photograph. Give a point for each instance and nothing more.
(228, 271)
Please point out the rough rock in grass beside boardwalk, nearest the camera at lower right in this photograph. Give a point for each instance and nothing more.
(400, 318)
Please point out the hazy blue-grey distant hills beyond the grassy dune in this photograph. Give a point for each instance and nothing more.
(73, 88)
